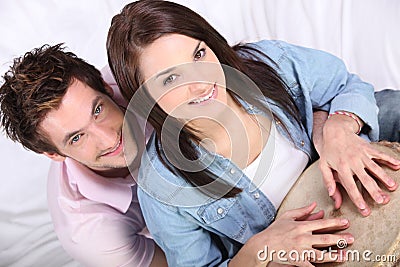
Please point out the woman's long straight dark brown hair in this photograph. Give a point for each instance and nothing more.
(141, 23)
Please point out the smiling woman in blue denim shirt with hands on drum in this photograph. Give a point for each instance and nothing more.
(208, 205)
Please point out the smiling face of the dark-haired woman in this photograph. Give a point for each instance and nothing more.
(184, 76)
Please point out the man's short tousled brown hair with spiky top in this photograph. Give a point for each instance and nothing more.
(34, 85)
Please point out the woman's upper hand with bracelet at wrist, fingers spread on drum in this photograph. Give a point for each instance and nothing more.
(343, 155)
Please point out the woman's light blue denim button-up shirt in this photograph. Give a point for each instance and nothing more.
(195, 230)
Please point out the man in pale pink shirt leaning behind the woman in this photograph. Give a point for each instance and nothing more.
(54, 103)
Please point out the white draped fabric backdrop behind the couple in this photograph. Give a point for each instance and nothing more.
(364, 33)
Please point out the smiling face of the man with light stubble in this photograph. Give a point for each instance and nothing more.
(88, 128)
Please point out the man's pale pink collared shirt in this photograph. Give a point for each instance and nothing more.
(98, 220)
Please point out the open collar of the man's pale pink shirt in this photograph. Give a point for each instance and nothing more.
(115, 192)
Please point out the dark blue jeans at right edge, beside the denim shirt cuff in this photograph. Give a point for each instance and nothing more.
(388, 102)
